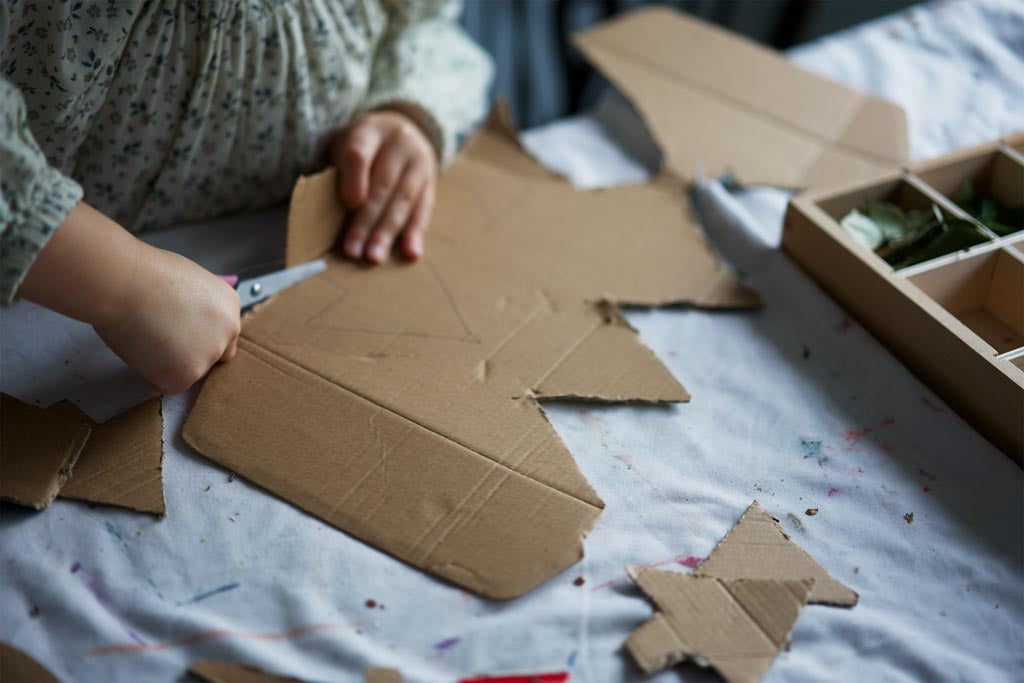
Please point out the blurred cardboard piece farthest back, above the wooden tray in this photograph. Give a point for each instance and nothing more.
(718, 103)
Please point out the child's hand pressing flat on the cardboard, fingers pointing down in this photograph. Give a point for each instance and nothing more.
(389, 172)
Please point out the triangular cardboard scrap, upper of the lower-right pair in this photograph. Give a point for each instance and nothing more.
(758, 548)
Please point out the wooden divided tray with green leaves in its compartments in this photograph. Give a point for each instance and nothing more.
(957, 320)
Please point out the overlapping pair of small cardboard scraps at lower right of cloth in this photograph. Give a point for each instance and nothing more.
(737, 612)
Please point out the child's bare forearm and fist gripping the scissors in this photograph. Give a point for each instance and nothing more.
(166, 317)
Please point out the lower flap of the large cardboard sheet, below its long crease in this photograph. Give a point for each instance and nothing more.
(448, 546)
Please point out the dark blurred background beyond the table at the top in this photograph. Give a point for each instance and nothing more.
(544, 78)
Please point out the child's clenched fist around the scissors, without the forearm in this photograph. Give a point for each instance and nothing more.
(177, 323)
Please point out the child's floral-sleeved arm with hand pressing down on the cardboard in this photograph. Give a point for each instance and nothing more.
(429, 89)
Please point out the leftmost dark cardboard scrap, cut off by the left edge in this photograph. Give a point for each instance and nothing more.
(39, 449)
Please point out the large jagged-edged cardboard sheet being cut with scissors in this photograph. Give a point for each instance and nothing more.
(398, 403)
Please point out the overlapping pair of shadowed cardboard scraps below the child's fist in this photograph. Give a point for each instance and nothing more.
(61, 451)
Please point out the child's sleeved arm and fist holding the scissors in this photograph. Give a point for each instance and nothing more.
(167, 318)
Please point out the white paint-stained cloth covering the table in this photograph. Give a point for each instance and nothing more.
(795, 406)
